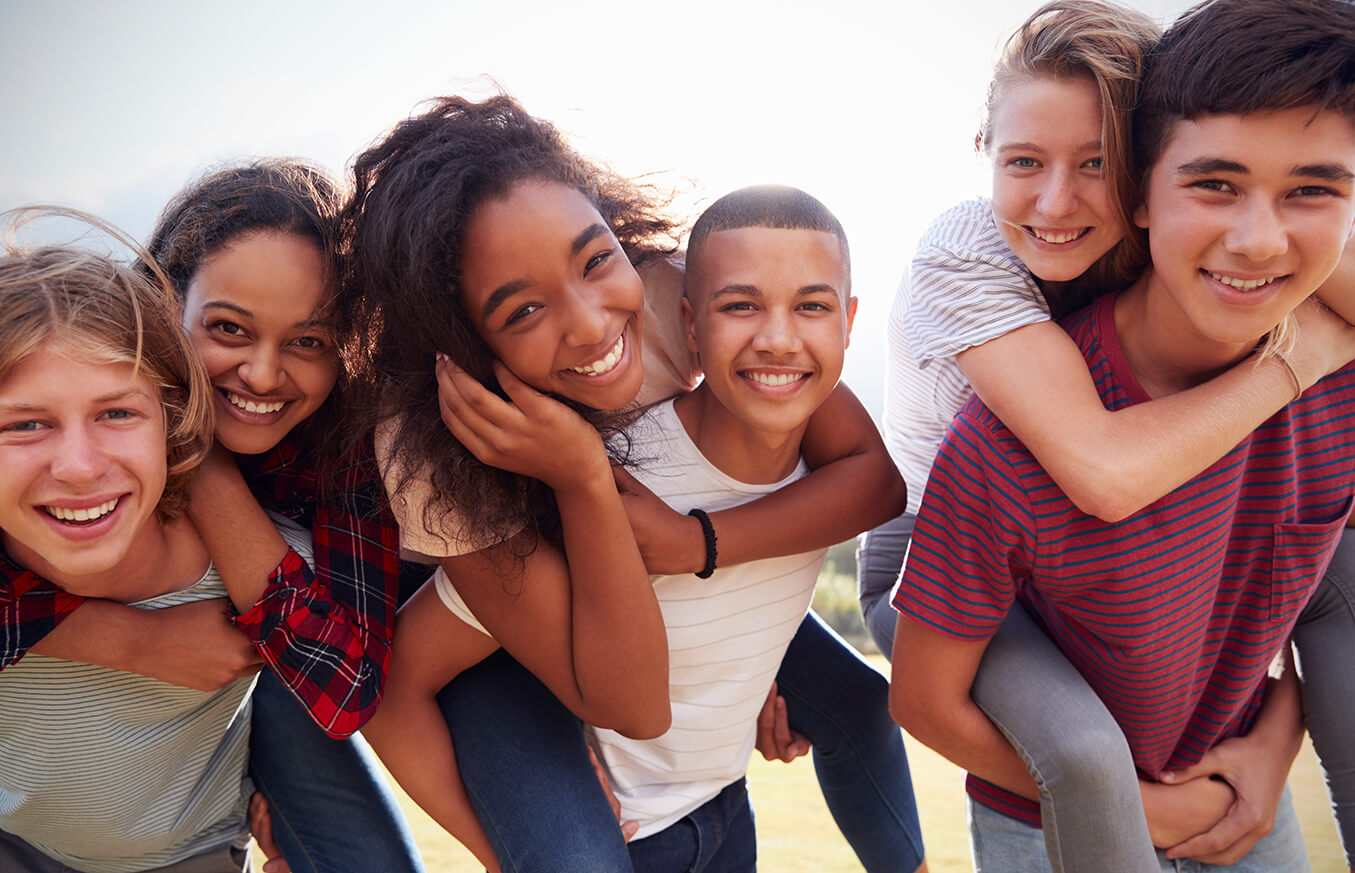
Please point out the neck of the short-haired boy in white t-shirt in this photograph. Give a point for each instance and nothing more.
(735, 448)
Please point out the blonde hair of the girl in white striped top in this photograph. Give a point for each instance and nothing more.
(1108, 44)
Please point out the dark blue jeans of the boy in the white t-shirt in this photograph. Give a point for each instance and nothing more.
(719, 837)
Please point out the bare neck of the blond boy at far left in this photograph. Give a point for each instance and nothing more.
(165, 556)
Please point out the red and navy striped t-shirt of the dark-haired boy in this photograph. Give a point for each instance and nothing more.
(1173, 615)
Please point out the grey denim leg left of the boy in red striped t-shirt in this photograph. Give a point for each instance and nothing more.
(1090, 800)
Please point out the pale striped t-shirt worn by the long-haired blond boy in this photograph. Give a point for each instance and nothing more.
(112, 772)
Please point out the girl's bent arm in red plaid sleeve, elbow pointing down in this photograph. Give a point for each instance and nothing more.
(325, 632)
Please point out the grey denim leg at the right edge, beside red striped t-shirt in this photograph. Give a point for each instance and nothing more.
(1325, 641)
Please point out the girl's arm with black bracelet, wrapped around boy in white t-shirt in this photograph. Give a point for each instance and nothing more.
(854, 487)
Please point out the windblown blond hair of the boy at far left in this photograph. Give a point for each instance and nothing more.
(114, 314)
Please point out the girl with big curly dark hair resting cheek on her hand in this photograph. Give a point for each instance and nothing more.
(486, 245)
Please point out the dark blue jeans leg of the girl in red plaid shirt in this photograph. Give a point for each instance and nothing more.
(333, 809)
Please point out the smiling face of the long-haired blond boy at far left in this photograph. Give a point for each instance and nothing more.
(83, 452)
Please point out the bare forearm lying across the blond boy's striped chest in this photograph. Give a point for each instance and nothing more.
(193, 645)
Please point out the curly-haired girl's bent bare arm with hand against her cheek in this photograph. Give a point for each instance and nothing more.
(589, 628)
